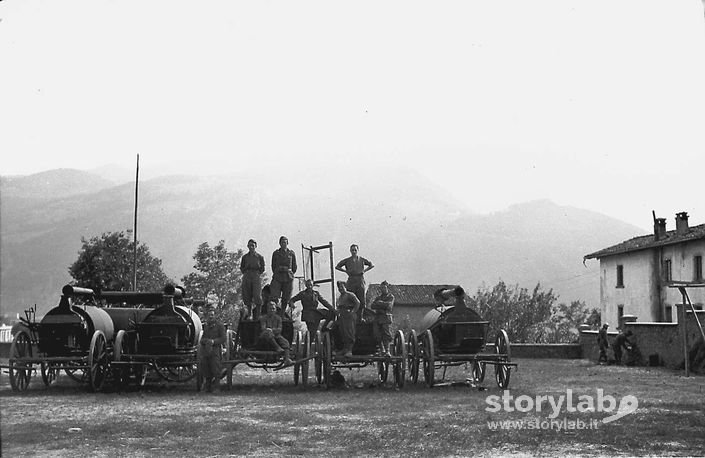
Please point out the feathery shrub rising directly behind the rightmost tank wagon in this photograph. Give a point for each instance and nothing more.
(514, 309)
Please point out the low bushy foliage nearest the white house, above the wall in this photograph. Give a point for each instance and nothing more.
(562, 326)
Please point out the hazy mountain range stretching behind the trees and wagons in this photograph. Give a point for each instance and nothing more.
(409, 227)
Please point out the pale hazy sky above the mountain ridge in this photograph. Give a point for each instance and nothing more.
(596, 104)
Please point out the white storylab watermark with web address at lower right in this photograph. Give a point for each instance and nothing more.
(562, 404)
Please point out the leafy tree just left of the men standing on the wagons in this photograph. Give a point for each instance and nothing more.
(217, 278)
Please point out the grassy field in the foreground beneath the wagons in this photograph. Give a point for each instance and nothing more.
(266, 415)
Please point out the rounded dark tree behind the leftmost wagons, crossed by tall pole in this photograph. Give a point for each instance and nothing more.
(106, 263)
